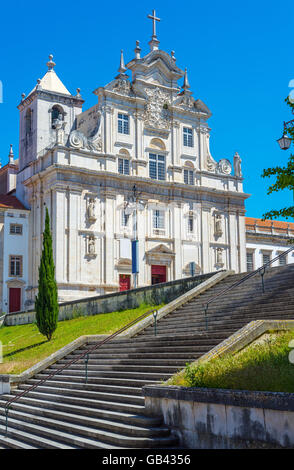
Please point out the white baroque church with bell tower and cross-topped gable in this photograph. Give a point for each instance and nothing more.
(136, 165)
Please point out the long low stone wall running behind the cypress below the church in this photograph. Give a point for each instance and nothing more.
(153, 295)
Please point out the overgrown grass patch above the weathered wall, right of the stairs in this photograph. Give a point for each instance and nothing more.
(263, 366)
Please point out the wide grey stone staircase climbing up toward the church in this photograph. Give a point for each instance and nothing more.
(108, 412)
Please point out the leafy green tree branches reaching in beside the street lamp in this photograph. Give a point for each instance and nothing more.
(284, 180)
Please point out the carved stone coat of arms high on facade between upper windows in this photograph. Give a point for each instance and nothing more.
(156, 113)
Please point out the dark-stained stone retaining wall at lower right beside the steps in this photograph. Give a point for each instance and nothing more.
(224, 419)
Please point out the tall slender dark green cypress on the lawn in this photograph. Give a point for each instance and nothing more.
(46, 300)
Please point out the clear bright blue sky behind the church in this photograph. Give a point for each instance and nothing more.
(239, 59)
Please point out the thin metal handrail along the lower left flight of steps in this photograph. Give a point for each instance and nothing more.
(79, 357)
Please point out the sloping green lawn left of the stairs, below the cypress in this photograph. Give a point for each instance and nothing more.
(24, 346)
